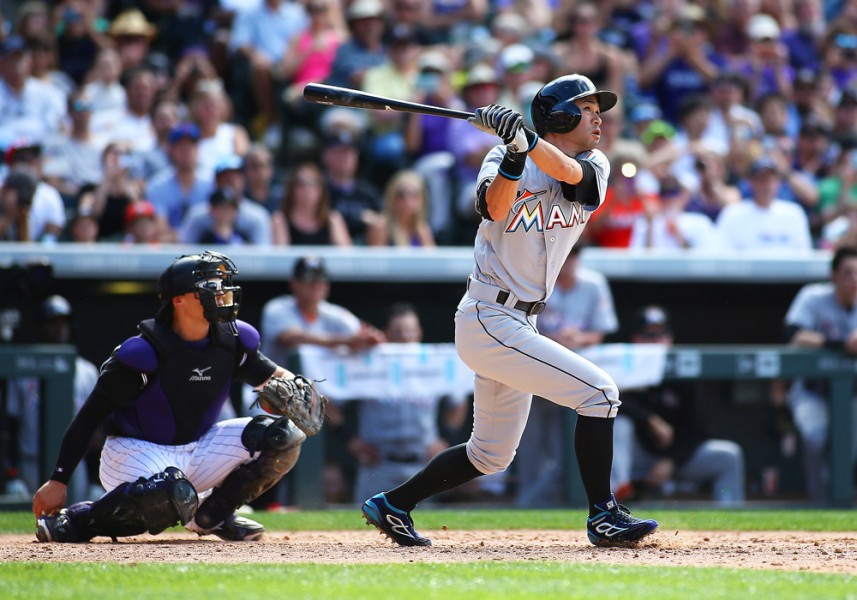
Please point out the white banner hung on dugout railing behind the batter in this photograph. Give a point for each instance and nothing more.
(393, 370)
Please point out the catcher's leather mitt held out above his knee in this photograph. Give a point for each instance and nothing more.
(296, 399)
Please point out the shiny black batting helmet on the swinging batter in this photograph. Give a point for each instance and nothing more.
(553, 108)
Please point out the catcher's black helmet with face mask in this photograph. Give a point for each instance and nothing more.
(209, 276)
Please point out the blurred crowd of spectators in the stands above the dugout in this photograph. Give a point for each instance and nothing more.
(125, 122)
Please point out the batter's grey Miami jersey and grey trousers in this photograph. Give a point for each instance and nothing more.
(517, 260)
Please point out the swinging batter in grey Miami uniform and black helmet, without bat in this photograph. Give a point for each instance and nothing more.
(535, 195)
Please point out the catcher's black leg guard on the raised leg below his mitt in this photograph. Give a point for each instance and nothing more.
(279, 443)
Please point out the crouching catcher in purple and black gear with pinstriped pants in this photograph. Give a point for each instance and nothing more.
(166, 459)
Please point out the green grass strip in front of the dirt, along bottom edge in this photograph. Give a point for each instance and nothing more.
(470, 581)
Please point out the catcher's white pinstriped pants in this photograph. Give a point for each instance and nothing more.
(205, 463)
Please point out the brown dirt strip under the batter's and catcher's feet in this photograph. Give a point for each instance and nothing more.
(785, 551)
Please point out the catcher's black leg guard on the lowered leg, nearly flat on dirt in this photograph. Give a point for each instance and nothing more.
(146, 505)
